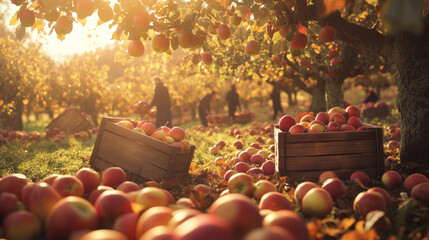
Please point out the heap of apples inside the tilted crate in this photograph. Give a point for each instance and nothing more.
(174, 136)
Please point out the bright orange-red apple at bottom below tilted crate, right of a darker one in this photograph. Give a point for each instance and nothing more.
(152, 217)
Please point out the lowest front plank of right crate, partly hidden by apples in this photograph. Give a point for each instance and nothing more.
(342, 174)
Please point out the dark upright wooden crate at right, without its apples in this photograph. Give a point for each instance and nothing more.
(306, 156)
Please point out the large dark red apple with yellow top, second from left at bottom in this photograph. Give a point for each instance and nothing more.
(68, 215)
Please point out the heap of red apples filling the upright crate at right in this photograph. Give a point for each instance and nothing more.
(336, 119)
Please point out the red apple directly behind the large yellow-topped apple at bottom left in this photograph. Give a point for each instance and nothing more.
(68, 185)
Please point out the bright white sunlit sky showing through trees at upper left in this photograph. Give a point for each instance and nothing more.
(81, 39)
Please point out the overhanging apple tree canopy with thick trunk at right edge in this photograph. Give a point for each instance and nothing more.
(379, 34)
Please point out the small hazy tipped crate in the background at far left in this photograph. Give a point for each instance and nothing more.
(70, 121)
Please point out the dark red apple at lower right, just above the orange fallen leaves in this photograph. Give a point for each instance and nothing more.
(366, 202)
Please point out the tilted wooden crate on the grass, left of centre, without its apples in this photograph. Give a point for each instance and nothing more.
(142, 157)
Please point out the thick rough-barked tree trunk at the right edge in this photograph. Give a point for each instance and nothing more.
(411, 55)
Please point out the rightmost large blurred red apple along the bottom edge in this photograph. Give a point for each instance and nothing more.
(289, 220)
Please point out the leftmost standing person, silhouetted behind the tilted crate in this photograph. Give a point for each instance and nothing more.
(161, 99)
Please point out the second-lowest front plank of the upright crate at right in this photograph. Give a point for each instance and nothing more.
(333, 162)
